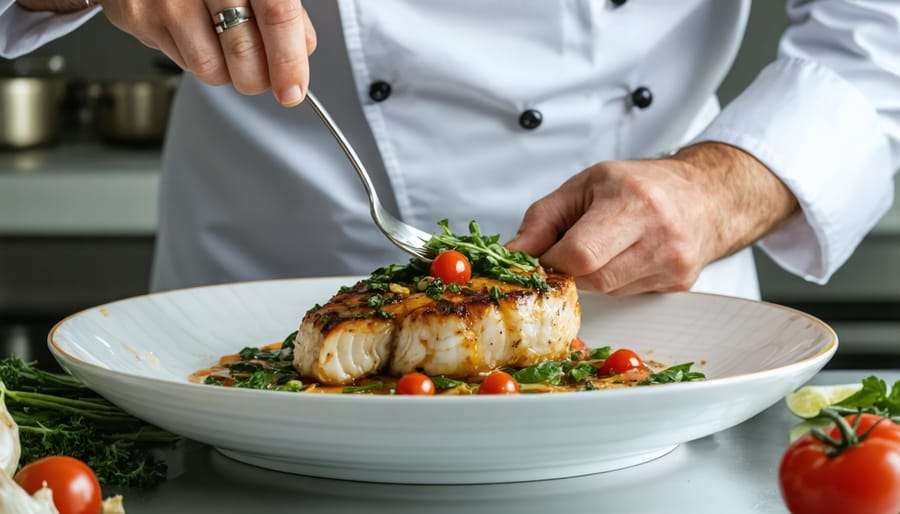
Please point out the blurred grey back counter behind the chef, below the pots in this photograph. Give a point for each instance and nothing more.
(97, 189)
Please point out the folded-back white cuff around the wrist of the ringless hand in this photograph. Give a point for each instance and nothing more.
(826, 143)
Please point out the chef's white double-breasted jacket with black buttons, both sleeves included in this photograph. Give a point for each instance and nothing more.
(443, 98)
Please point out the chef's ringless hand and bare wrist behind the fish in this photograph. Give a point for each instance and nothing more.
(626, 227)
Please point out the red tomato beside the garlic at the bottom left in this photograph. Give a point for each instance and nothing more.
(74, 484)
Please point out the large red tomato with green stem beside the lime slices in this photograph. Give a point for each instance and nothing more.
(862, 479)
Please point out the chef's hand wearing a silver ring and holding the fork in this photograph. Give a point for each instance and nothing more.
(270, 51)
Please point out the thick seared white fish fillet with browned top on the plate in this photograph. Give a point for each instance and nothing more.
(486, 325)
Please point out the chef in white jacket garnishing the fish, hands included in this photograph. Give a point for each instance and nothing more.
(586, 132)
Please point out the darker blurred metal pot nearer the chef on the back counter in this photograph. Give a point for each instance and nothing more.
(134, 111)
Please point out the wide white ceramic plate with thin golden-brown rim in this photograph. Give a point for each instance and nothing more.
(139, 352)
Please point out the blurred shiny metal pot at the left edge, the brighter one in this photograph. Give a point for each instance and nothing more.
(32, 92)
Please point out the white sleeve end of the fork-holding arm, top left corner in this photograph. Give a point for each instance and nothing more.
(22, 31)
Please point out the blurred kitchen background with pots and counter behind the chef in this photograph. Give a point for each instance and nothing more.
(77, 213)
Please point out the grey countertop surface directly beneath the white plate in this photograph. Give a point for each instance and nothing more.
(734, 471)
